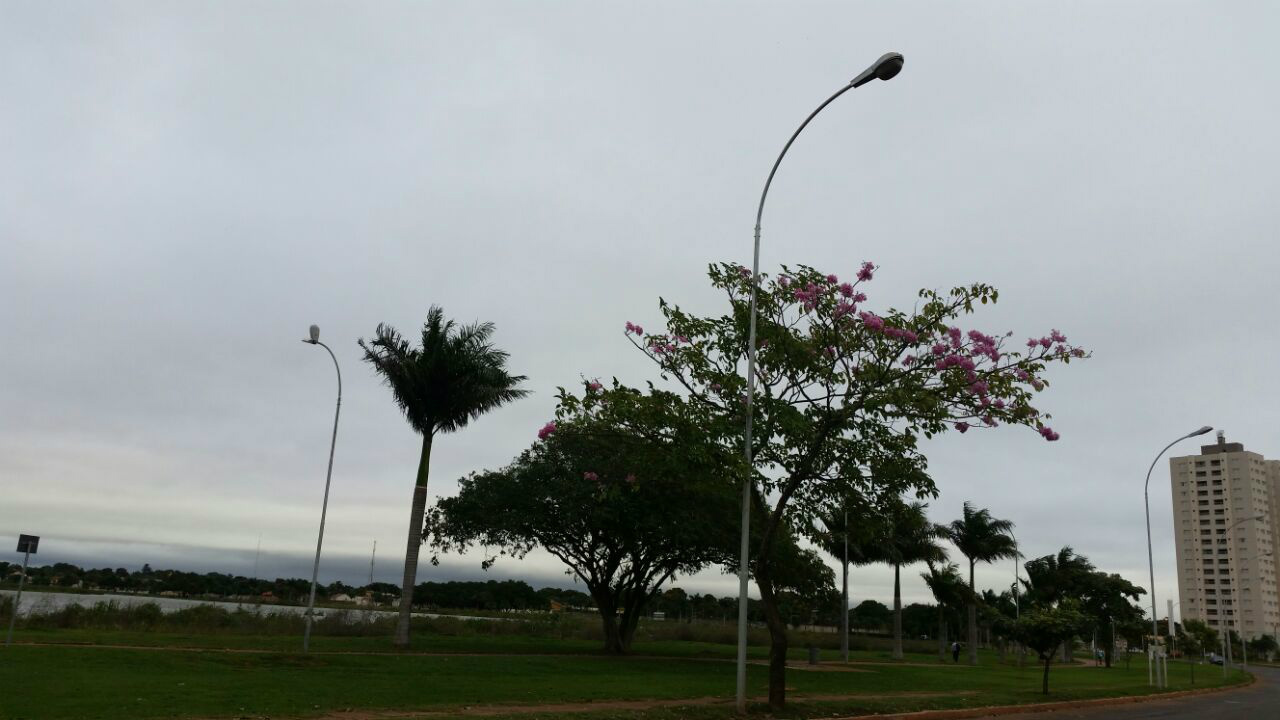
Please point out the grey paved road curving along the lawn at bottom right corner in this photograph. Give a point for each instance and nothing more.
(1260, 701)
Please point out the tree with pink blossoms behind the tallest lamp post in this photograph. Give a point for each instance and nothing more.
(844, 394)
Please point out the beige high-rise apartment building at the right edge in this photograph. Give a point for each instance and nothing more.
(1227, 564)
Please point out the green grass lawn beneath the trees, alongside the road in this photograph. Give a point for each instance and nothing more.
(56, 683)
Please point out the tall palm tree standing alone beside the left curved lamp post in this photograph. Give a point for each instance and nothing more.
(454, 377)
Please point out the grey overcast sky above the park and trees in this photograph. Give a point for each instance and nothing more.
(186, 188)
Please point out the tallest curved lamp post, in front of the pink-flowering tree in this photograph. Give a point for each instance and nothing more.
(885, 69)
